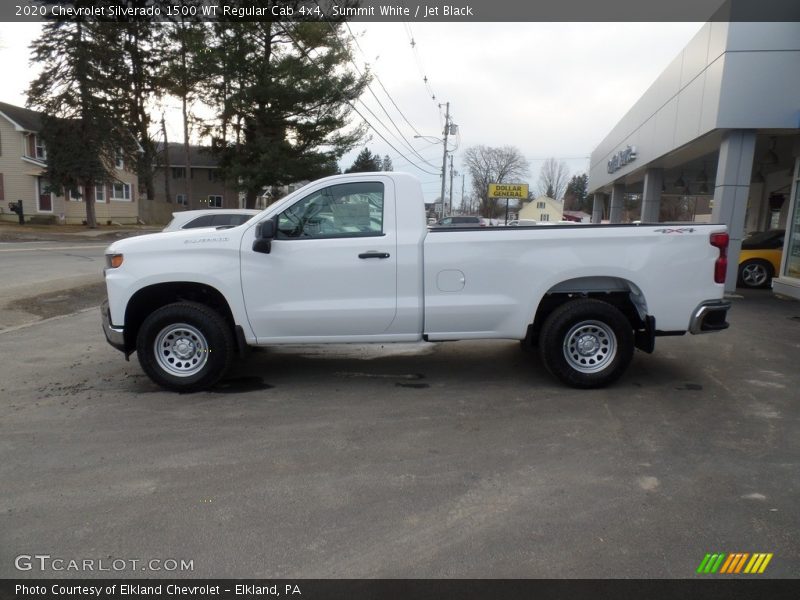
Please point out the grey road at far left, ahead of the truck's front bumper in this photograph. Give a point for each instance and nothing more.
(43, 271)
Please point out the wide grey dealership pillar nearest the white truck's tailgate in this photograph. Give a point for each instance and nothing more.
(734, 170)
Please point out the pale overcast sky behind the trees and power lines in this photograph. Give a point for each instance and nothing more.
(549, 89)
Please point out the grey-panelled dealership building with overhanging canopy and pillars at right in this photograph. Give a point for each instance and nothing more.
(715, 139)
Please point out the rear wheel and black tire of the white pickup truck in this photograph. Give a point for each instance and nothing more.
(606, 337)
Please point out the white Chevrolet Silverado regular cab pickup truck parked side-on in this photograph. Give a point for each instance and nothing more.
(350, 258)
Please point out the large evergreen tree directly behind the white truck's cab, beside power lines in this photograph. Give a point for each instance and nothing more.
(283, 104)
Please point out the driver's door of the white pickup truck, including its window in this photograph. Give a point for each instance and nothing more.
(332, 268)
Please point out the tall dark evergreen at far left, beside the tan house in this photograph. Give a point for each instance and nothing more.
(77, 92)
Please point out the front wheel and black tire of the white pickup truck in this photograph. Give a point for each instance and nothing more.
(185, 347)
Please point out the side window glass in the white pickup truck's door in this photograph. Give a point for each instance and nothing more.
(345, 210)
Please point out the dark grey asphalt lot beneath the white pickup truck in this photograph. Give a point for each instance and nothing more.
(452, 460)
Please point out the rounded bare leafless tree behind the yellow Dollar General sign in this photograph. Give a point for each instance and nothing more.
(493, 165)
